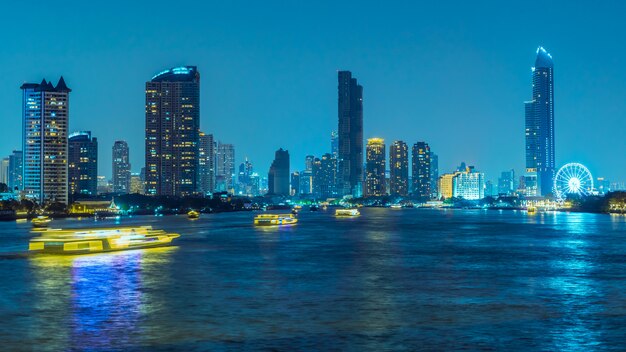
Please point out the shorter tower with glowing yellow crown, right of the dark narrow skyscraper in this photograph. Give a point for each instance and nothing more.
(375, 167)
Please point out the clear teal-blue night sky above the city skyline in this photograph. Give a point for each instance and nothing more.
(454, 75)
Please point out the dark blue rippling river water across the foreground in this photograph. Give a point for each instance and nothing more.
(389, 280)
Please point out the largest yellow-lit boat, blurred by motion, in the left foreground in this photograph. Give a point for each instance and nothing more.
(96, 240)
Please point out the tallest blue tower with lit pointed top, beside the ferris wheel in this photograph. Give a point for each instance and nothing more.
(540, 154)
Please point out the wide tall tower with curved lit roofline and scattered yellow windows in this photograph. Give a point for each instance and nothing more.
(172, 131)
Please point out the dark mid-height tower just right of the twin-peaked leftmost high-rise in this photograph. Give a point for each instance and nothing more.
(82, 163)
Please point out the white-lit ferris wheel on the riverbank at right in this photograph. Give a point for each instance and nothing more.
(573, 179)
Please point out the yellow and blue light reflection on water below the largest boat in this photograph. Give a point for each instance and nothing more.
(93, 301)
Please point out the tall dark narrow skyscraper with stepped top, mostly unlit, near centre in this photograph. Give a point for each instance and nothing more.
(350, 135)
